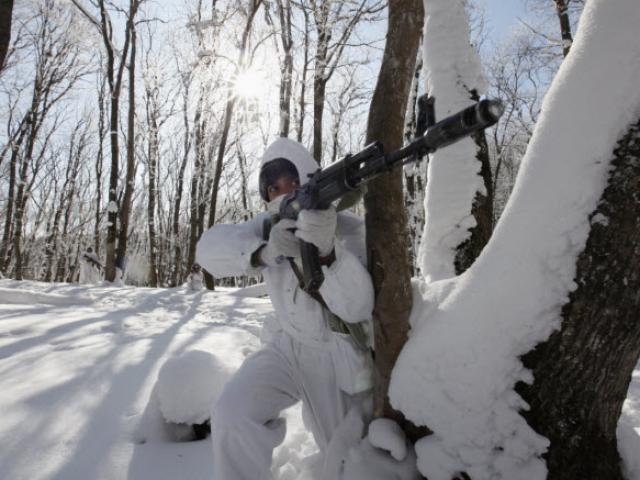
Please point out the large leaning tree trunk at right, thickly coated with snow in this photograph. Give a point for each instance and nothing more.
(560, 273)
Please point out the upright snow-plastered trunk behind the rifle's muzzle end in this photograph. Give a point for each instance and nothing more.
(456, 205)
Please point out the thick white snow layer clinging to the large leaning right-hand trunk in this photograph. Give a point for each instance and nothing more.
(457, 371)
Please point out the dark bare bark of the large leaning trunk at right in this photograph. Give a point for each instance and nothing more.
(583, 371)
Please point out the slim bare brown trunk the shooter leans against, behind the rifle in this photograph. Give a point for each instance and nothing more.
(386, 221)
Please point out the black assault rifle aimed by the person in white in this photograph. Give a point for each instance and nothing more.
(348, 175)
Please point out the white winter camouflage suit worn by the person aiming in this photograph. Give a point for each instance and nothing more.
(302, 359)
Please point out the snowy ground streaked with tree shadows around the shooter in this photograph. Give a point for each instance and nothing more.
(78, 366)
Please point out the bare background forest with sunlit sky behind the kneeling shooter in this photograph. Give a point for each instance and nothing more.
(130, 128)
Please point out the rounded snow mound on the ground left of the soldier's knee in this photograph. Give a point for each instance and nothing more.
(189, 385)
